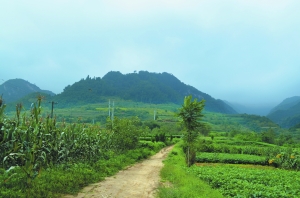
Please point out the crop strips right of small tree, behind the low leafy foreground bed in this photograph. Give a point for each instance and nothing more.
(249, 153)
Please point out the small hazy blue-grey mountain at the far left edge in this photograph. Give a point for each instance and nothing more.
(15, 89)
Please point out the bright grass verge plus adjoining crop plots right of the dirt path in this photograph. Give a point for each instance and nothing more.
(232, 175)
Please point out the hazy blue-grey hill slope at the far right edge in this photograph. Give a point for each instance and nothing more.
(287, 113)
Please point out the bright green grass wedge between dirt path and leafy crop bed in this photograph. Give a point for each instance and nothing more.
(178, 181)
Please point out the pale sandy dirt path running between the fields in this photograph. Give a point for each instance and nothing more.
(140, 180)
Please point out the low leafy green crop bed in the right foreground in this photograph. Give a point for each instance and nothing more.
(250, 181)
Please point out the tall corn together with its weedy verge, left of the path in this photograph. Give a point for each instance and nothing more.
(33, 146)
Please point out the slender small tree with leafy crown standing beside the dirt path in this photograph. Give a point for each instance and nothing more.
(191, 114)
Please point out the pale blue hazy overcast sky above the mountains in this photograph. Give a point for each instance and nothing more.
(241, 51)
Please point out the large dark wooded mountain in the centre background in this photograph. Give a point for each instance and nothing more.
(143, 86)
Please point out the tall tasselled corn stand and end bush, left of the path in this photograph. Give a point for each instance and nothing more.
(33, 143)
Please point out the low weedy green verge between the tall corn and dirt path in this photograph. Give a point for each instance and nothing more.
(70, 178)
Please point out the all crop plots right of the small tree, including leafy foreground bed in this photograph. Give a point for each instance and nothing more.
(249, 170)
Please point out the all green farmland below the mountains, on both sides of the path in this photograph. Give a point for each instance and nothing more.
(49, 157)
